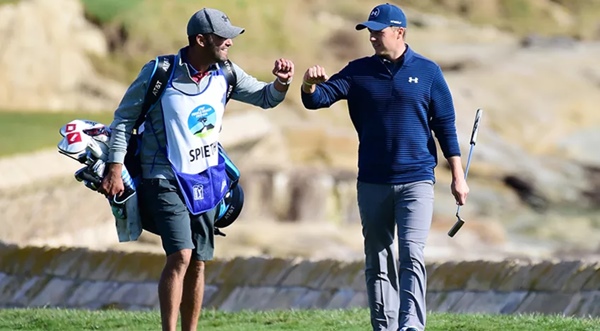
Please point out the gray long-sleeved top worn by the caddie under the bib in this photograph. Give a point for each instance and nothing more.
(154, 162)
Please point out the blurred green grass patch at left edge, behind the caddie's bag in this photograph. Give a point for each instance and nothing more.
(23, 132)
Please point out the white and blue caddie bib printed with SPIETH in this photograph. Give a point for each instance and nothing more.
(192, 125)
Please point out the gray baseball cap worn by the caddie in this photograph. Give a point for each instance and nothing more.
(208, 20)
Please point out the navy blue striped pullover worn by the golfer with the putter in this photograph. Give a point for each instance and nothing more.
(394, 116)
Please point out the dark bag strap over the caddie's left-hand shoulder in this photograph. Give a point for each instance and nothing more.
(163, 67)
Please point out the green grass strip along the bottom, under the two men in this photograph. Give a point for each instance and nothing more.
(304, 320)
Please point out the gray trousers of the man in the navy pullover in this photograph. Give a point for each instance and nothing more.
(396, 295)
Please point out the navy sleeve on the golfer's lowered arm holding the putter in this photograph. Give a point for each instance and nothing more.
(443, 116)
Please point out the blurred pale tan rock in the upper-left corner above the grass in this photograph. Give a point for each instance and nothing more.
(44, 54)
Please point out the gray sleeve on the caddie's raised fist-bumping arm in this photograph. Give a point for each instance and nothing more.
(252, 91)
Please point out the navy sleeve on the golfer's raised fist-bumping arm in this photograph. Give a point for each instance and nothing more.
(329, 92)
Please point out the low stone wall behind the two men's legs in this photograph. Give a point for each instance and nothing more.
(80, 278)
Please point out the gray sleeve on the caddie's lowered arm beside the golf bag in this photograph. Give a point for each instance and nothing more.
(127, 113)
